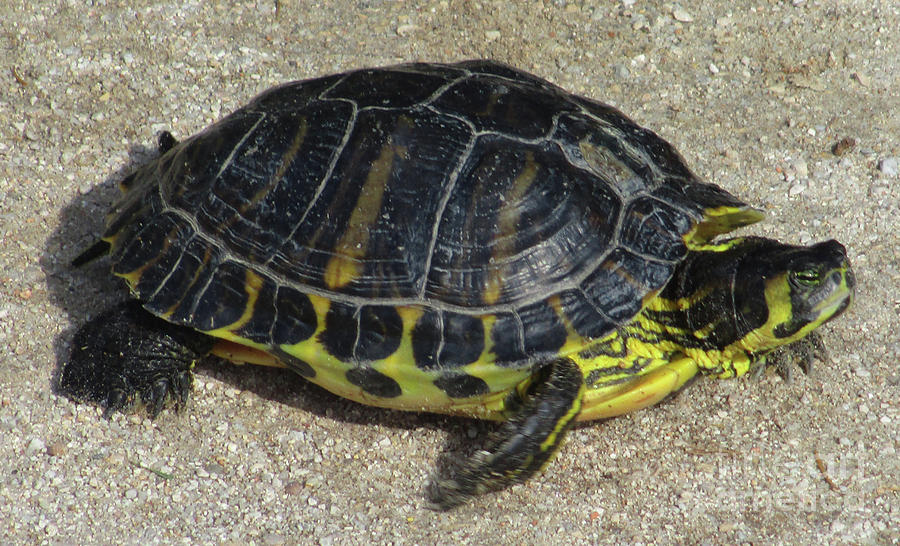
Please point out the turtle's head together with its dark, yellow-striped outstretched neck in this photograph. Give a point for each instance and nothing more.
(751, 295)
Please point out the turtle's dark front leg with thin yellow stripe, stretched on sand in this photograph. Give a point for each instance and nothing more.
(524, 443)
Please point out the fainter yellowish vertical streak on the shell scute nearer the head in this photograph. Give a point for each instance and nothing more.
(507, 222)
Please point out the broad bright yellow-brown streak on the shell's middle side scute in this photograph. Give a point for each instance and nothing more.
(352, 246)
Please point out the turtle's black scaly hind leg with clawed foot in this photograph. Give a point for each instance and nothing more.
(125, 354)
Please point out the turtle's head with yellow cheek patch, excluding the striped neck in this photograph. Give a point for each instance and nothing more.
(781, 293)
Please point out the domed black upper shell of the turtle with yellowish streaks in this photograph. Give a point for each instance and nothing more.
(510, 214)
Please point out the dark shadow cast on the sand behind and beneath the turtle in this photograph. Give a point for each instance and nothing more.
(84, 292)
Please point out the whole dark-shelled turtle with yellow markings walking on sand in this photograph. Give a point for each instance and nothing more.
(464, 239)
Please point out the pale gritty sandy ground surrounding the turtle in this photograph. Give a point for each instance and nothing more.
(755, 94)
